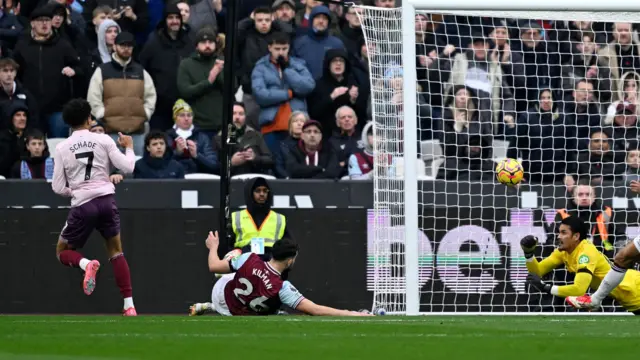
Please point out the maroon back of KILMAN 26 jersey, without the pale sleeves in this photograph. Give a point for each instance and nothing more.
(254, 289)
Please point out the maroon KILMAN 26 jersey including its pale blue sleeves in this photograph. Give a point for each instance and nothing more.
(257, 288)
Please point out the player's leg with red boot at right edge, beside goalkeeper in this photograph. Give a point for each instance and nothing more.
(622, 262)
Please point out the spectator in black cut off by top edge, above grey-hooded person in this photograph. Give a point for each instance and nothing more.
(131, 15)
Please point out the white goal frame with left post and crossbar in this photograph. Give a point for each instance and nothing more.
(559, 10)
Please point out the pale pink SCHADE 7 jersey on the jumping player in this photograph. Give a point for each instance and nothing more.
(83, 163)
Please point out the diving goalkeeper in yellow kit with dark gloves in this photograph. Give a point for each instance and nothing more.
(581, 257)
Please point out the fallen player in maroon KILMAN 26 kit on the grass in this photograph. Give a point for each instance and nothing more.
(258, 287)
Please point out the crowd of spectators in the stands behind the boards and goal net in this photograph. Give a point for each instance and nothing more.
(563, 95)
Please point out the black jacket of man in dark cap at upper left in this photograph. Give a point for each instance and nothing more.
(41, 64)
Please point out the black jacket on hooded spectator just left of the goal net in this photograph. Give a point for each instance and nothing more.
(322, 108)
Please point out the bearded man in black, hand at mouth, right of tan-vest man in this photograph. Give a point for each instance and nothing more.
(161, 57)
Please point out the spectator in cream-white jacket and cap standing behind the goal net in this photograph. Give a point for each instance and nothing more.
(481, 69)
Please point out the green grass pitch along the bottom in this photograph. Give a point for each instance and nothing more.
(306, 338)
